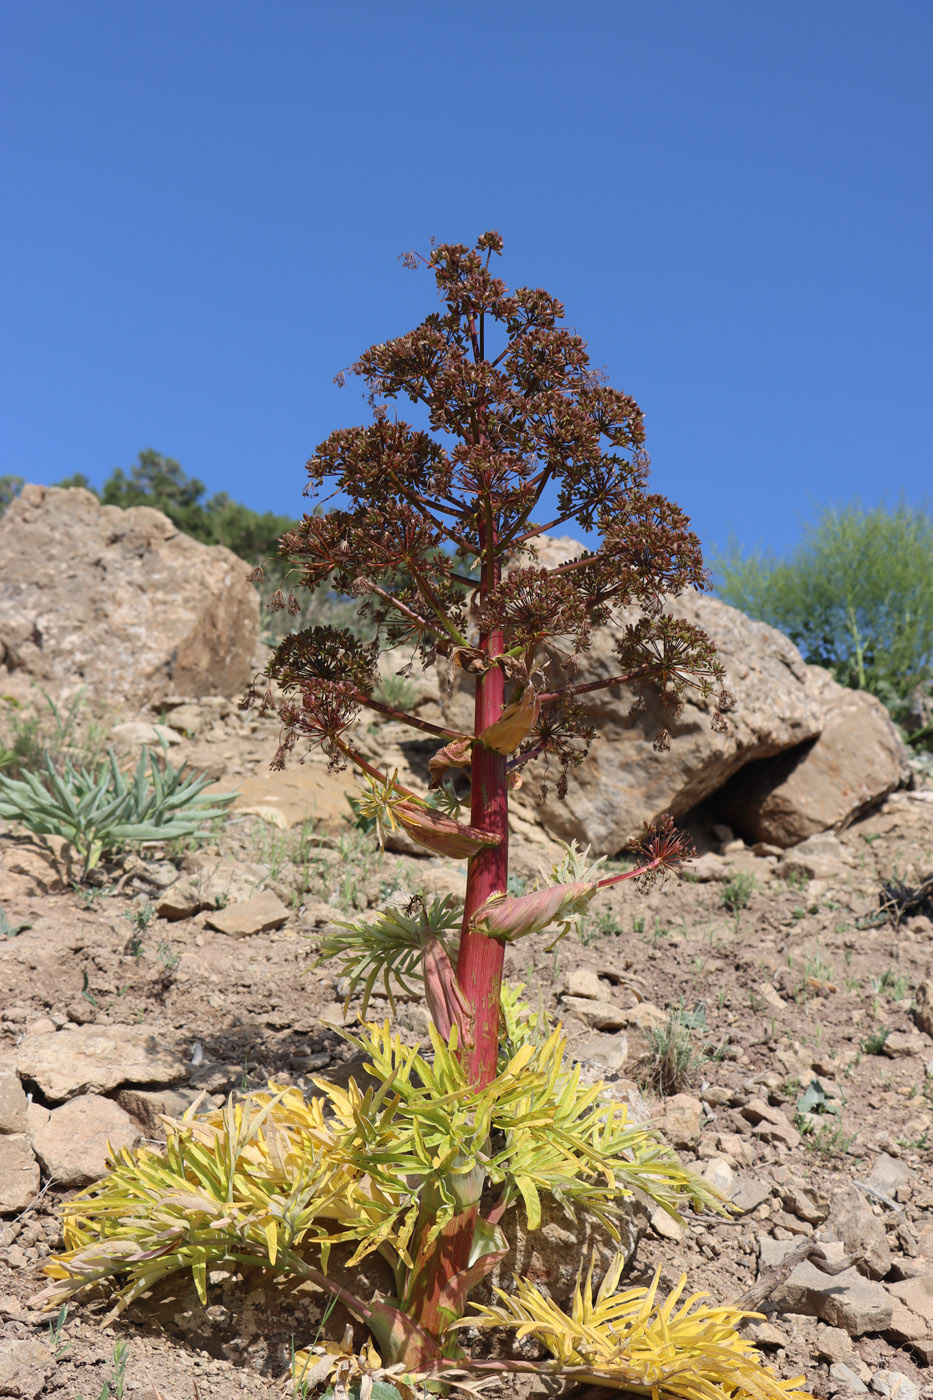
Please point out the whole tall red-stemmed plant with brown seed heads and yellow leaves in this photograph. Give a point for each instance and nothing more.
(435, 533)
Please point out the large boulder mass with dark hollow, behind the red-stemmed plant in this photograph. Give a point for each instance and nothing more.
(809, 751)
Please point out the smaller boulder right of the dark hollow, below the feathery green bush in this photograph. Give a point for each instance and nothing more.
(855, 762)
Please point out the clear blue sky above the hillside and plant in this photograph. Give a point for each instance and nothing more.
(204, 205)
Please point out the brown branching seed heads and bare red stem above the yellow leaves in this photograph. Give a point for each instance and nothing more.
(438, 540)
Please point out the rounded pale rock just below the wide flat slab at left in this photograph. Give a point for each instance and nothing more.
(75, 1143)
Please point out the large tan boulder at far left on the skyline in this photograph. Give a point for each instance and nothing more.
(118, 603)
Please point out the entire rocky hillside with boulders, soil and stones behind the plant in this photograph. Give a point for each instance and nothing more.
(771, 1010)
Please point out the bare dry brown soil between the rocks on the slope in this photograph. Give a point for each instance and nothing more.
(799, 983)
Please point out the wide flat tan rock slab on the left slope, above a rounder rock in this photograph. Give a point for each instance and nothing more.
(96, 1059)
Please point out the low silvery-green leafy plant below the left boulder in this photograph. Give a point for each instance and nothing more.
(102, 811)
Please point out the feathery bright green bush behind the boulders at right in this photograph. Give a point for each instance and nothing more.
(857, 596)
